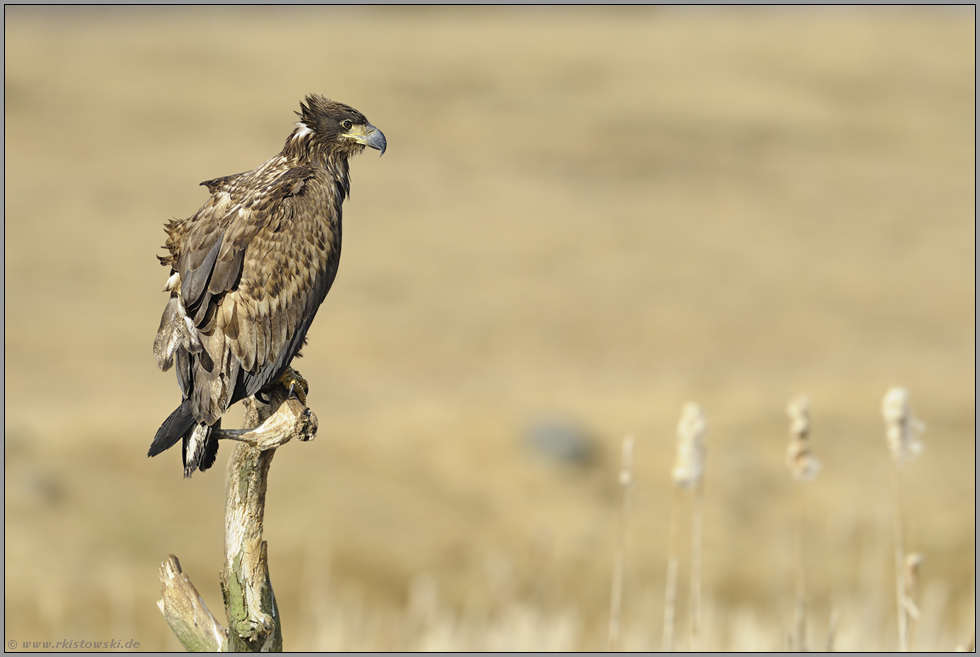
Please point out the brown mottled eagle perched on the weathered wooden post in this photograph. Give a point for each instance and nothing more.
(248, 272)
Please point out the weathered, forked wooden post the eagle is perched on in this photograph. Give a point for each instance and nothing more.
(250, 603)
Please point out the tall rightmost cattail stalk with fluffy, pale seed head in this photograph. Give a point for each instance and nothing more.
(901, 431)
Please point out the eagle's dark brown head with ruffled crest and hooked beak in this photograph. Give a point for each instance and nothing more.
(337, 127)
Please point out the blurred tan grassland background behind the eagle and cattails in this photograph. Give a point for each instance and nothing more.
(586, 217)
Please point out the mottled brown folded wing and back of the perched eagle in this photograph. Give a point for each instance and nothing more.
(251, 269)
